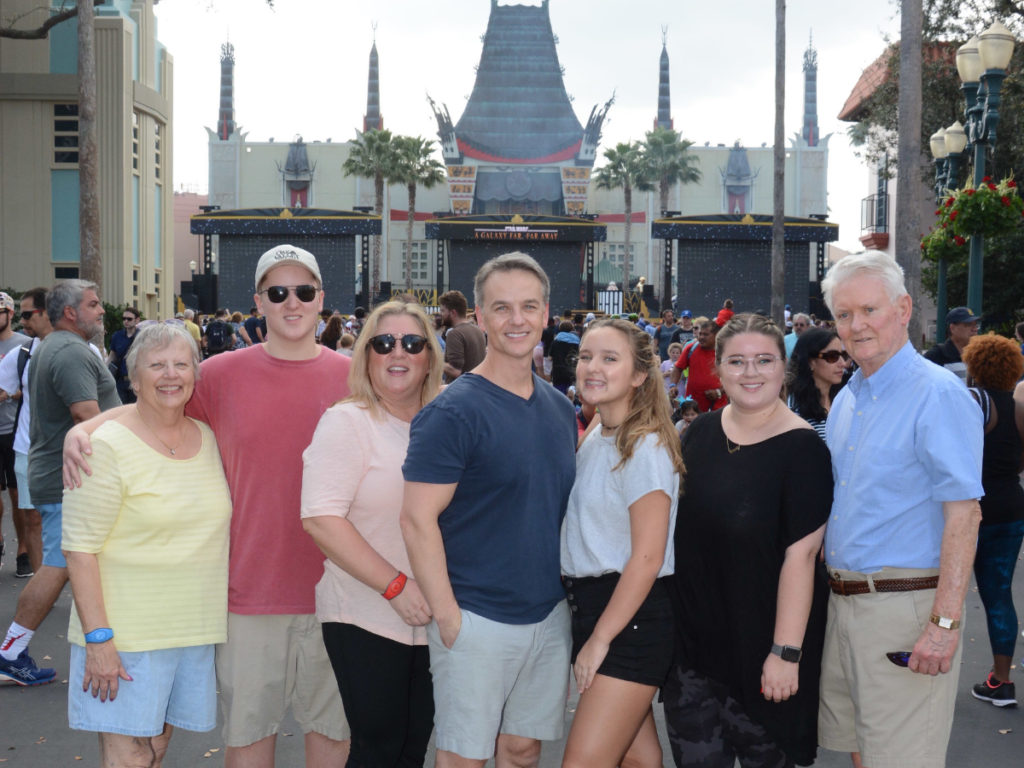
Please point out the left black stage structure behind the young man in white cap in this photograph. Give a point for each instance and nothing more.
(247, 235)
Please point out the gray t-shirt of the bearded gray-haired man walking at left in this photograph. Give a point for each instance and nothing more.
(65, 371)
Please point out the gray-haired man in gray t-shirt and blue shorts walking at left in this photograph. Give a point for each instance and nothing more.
(68, 385)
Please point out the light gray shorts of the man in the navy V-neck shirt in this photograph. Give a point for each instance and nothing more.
(500, 678)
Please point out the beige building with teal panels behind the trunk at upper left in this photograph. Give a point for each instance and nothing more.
(39, 178)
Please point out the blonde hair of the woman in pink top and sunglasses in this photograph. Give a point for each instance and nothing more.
(359, 376)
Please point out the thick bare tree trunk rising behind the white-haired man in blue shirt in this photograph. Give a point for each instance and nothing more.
(910, 160)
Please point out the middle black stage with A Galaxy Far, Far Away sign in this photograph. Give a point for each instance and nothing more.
(563, 245)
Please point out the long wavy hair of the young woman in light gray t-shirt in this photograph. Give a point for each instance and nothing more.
(651, 411)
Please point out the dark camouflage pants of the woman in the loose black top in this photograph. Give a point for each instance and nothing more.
(709, 730)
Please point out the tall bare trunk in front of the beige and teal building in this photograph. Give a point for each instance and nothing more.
(92, 266)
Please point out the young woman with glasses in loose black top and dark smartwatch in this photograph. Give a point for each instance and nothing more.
(750, 611)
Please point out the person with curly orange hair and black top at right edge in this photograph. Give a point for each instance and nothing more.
(995, 364)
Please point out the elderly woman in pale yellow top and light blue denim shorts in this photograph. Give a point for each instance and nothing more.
(146, 538)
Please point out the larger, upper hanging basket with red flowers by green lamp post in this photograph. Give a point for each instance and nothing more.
(991, 209)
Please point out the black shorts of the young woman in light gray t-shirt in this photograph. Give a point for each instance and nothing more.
(643, 652)
